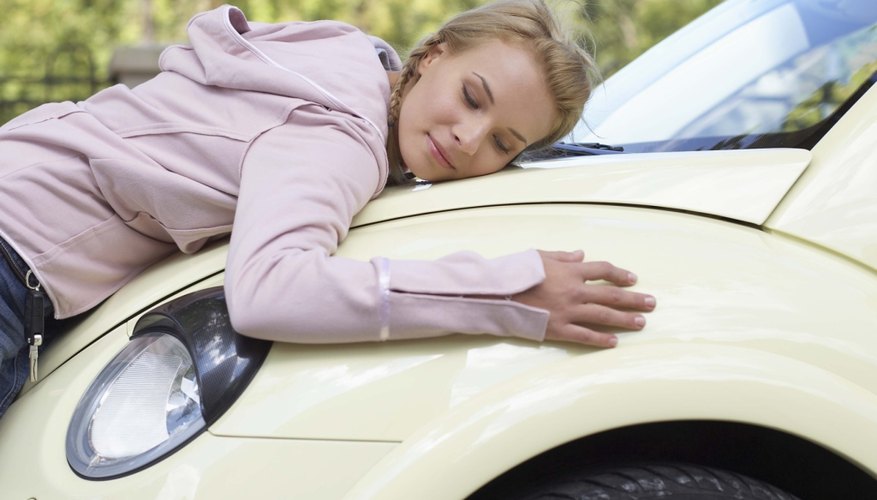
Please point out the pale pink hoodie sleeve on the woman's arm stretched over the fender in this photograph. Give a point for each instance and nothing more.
(301, 185)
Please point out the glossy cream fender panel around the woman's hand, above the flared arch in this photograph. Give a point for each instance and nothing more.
(756, 291)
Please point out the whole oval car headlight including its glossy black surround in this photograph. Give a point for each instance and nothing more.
(182, 370)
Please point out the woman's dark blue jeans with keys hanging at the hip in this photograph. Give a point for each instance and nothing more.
(14, 362)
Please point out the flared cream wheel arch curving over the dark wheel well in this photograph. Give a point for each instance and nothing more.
(503, 427)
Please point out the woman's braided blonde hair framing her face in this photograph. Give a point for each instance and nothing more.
(567, 66)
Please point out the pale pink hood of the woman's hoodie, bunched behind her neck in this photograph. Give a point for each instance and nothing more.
(297, 59)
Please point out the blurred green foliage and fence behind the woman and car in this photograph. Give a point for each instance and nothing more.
(55, 50)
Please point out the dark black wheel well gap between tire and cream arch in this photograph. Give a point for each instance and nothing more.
(788, 462)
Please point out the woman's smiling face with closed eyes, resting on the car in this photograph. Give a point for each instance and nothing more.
(472, 112)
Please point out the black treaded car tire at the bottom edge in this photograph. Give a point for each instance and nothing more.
(660, 480)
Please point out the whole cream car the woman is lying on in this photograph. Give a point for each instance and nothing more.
(744, 198)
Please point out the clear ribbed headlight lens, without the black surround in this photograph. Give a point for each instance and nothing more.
(144, 404)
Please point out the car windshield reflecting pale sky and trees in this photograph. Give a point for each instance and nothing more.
(748, 74)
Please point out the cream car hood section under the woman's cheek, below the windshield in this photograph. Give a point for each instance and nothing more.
(744, 185)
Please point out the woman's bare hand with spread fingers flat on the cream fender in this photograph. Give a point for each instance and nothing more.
(579, 310)
